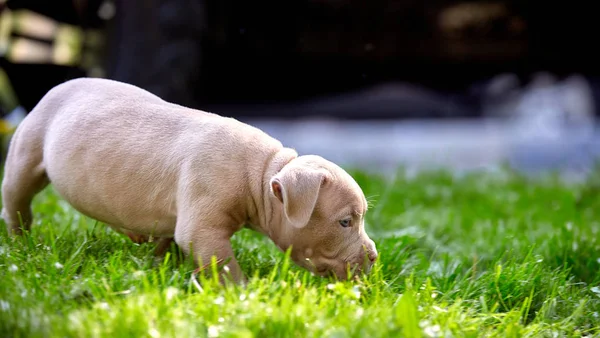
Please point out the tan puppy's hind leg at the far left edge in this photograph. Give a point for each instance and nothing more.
(24, 177)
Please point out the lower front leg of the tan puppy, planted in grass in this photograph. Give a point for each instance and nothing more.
(204, 240)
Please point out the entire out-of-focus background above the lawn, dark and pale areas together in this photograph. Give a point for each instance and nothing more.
(372, 85)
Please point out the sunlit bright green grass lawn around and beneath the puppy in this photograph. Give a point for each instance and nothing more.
(493, 255)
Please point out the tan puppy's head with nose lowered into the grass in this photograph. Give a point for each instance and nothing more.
(322, 211)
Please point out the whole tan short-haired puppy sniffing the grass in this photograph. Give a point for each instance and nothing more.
(125, 157)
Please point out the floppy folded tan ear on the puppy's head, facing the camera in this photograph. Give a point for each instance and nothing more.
(298, 190)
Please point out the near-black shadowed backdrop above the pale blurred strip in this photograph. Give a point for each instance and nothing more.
(273, 58)
